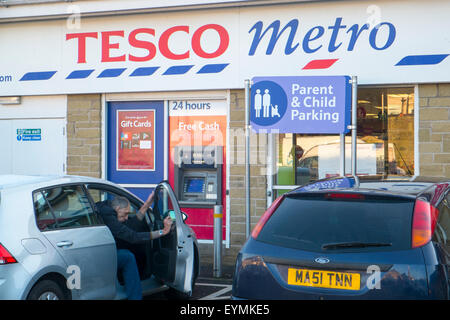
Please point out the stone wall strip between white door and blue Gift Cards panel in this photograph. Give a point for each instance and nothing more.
(84, 135)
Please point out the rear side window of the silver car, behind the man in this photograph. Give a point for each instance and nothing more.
(63, 207)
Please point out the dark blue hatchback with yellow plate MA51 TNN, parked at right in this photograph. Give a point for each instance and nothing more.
(351, 238)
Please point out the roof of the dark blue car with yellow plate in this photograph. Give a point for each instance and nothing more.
(412, 186)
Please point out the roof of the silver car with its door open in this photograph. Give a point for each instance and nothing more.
(36, 181)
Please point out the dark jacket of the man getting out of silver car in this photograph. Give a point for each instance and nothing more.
(121, 233)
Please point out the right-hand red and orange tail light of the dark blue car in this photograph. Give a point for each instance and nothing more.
(424, 221)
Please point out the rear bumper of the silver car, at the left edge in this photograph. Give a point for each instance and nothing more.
(13, 281)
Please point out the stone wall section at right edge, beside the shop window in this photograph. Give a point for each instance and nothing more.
(434, 130)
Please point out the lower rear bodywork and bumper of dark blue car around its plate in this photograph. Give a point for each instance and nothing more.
(401, 275)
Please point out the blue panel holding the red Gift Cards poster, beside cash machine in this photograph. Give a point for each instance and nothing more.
(136, 145)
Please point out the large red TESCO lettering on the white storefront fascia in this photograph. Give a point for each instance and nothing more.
(107, 42)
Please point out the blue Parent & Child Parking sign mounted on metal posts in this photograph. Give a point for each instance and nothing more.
(319, 104)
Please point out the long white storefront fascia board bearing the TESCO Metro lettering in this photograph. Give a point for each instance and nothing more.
(219, 49)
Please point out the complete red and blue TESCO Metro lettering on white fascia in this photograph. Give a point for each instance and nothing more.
(312, 40)
